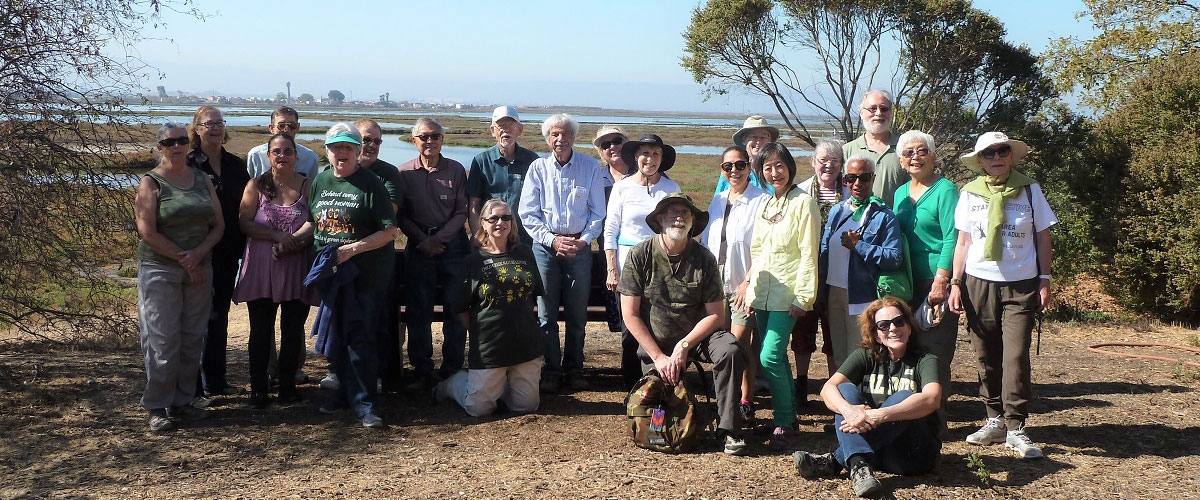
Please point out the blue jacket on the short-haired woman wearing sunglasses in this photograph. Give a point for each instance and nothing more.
(879, 249)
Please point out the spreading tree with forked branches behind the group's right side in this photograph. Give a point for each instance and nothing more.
(957, 75)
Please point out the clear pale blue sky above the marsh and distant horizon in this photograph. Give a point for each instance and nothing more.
(613, 55)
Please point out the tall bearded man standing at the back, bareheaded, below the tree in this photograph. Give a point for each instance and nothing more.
(879, 144)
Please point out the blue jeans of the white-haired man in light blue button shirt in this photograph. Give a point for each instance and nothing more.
(568, 282)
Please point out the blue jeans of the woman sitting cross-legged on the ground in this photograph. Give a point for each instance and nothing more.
(904, 448)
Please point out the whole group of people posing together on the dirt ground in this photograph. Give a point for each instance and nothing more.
(769, 266)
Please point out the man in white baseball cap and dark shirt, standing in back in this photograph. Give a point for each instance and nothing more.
(501, 171)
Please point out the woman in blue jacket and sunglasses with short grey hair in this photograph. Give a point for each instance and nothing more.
(861, 239)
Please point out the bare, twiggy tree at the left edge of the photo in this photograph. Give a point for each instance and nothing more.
(63, 126)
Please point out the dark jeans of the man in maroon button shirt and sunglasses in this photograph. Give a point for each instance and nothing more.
(423, 275)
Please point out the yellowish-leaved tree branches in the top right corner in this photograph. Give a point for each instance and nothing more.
(1133, 35)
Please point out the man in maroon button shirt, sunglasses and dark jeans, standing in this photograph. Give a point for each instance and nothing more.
(433, 216)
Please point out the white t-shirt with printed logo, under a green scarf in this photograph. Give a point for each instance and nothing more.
(1022, 224)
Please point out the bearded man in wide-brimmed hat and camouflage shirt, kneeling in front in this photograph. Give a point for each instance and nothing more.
(674, 304)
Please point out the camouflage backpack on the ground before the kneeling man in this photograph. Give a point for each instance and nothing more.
(661, 418)
